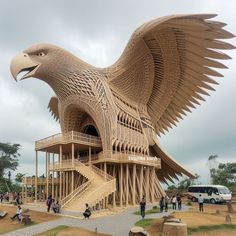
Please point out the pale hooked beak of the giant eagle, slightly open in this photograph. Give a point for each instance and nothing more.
(22, 62)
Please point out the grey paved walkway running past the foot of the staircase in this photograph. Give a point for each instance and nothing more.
(117, 225)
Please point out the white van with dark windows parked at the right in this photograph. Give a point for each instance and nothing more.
(210, 193)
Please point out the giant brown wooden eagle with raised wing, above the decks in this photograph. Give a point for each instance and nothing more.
(164, 71)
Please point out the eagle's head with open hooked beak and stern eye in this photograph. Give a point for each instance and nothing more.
(40, 61)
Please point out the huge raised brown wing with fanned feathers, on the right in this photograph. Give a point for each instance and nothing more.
(168, 64)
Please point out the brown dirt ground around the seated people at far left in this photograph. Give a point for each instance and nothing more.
(6, 224)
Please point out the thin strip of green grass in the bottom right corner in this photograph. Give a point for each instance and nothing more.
(207, 228)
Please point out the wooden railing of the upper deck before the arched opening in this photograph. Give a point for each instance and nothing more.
(68, 137)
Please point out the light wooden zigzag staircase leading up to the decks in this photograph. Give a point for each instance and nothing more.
(98, 186)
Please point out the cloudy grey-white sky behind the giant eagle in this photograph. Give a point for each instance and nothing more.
(97, 32)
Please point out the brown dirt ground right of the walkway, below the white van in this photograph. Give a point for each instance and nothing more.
(194, 218)
